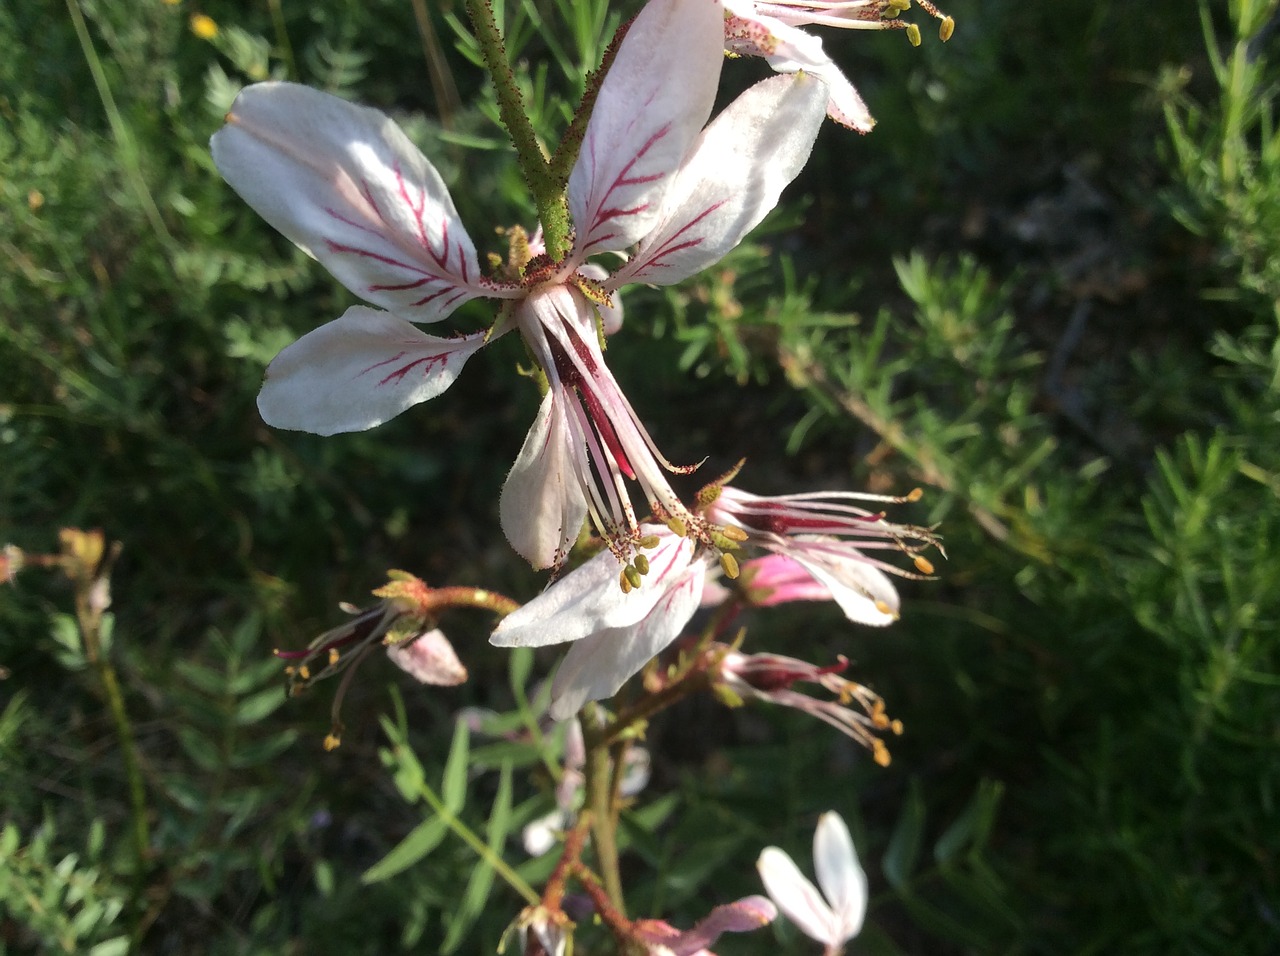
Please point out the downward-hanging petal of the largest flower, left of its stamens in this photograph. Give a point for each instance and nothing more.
(543, 507)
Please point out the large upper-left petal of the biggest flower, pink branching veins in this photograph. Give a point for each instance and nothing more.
(348, 186)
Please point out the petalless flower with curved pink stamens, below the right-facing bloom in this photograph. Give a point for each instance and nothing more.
(772, 678)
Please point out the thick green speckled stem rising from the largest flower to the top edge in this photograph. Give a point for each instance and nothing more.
(548, 190)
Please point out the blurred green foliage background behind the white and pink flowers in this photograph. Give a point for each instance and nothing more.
(1045, 290)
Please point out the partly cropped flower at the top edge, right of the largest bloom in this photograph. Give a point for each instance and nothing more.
(772, 31)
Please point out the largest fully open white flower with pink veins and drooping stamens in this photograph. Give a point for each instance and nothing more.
(348, 186)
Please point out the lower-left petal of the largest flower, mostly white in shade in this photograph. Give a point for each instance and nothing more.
(358, 372)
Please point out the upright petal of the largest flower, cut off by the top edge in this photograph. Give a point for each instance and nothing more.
(653, 102)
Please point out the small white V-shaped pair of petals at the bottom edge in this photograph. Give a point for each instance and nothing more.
(839, 918)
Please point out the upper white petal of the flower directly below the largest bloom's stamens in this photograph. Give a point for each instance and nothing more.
(589, 600)
